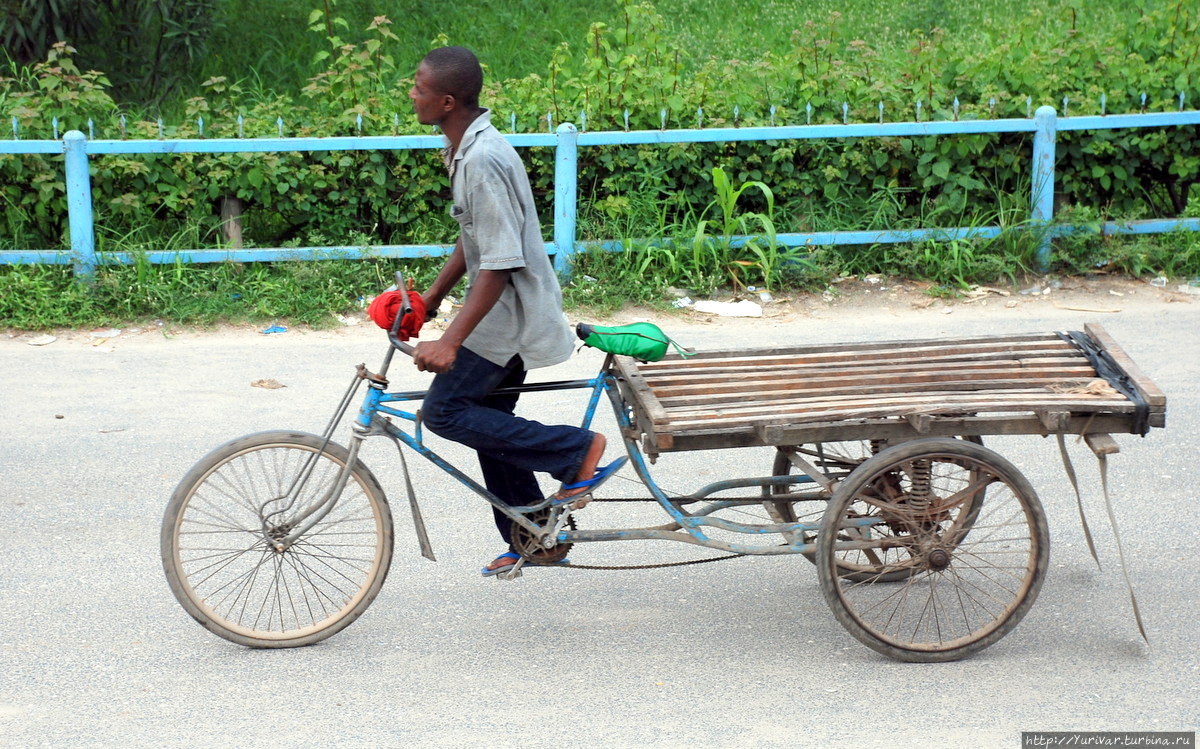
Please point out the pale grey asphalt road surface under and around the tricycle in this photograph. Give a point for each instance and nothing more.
(95, 651)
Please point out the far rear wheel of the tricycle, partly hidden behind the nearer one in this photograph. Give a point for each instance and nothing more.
(838, 460)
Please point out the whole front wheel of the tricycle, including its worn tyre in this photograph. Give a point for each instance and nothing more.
(219, 532)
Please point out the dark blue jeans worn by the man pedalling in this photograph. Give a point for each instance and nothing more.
(463, 406)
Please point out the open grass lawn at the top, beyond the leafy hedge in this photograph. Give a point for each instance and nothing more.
(269, 40)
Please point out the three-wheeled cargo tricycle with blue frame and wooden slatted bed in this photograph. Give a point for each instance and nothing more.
(928, 544)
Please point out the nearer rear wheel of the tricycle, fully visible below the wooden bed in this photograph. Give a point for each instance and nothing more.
(913, 506)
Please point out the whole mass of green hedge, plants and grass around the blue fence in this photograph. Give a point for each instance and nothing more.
(675, 208)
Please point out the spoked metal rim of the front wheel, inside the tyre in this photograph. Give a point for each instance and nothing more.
(231, 572)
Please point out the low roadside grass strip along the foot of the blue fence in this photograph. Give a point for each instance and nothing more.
(314, 293)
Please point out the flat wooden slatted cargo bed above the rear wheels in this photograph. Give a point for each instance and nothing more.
(1006, 385)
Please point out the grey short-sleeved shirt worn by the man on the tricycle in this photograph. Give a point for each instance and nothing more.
(494, 206)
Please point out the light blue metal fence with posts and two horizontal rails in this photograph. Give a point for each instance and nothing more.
(567, 141)
